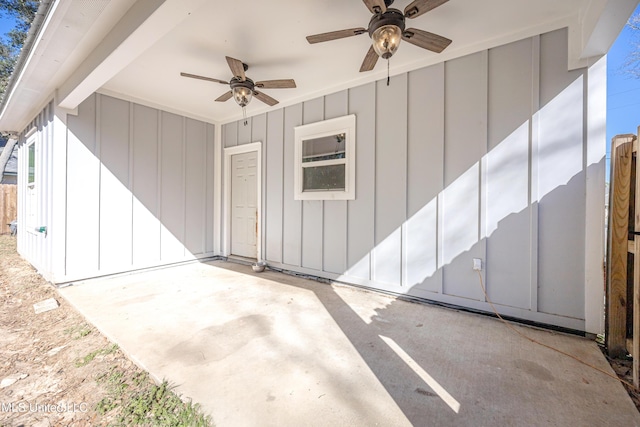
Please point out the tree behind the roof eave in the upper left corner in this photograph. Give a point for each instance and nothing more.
(22, 12)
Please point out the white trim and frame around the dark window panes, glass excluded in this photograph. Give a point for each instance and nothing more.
(346, 125)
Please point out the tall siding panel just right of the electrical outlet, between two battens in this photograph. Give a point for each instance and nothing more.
(508, 225)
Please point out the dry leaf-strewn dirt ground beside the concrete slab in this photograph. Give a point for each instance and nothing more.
(58, 370)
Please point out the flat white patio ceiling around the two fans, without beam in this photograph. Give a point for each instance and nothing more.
(269, 36)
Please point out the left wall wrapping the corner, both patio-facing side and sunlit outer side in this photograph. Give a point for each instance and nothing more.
(133, 188)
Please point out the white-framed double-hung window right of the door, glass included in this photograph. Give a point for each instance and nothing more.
(325, 160)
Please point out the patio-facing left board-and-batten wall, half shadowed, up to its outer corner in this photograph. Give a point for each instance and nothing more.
(139, 188)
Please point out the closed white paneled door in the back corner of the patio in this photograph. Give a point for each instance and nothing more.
(244, 204)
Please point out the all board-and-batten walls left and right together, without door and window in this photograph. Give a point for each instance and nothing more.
(498, 155)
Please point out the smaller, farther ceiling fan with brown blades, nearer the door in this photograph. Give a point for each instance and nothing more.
(242, 87)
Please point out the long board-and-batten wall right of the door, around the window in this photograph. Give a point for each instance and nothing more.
(478, 157)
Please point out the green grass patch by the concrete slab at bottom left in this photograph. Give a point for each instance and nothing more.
(139, 401)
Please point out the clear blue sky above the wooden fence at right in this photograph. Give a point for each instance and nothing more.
(623, 91)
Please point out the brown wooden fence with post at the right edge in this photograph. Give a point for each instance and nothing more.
(622, 334)
